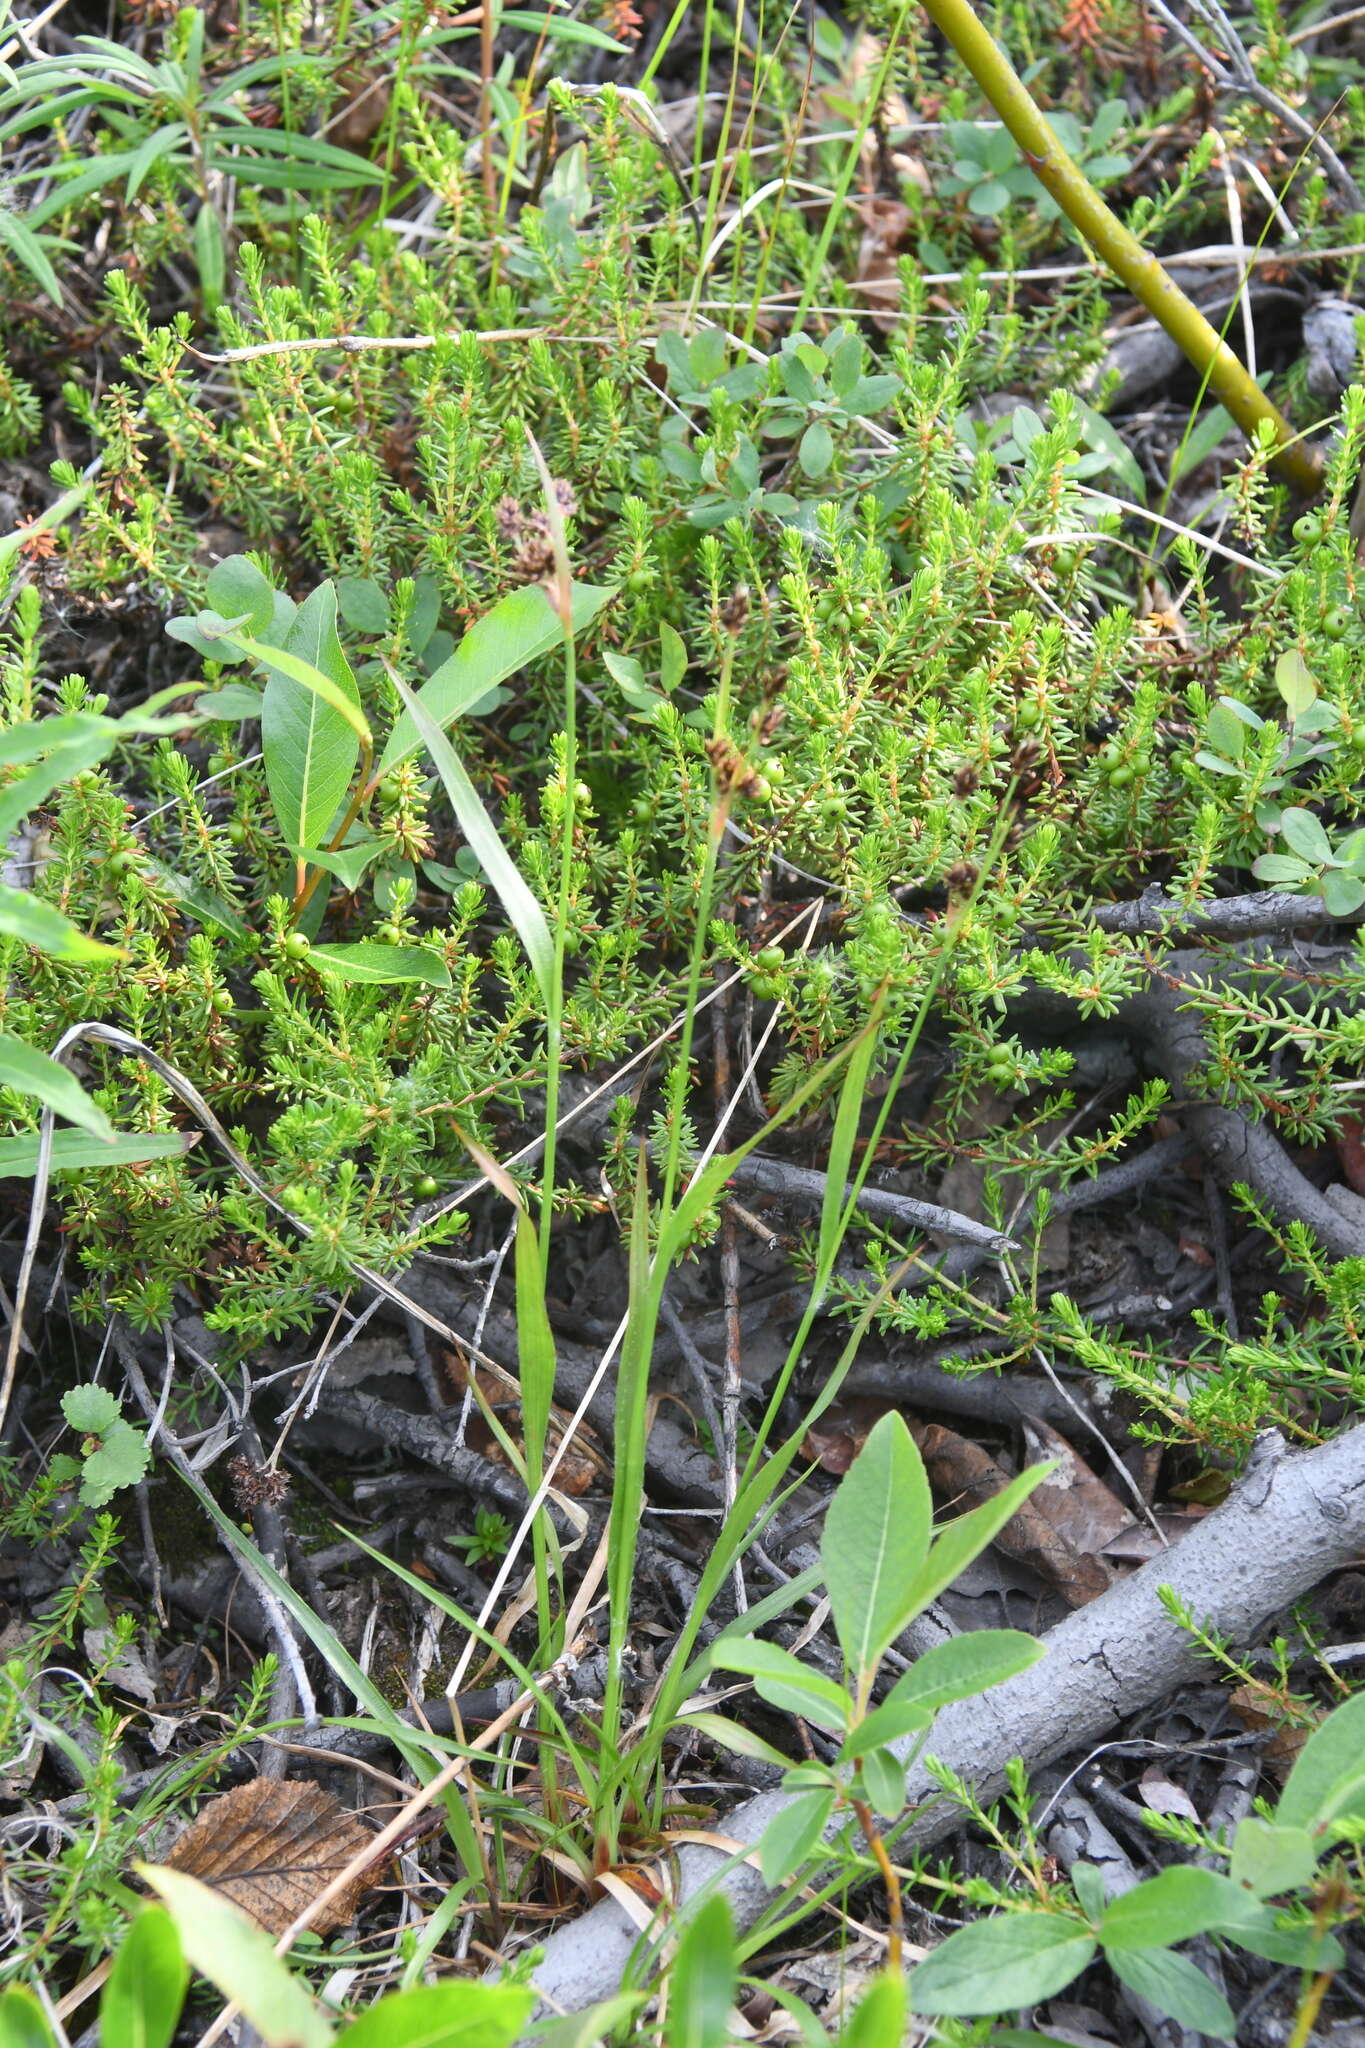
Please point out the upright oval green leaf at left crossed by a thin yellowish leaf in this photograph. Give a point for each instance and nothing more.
(312, 726)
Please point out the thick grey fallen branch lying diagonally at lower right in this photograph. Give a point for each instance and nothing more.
(1290, 1521)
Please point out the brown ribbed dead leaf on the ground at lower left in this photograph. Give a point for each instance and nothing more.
(271, 1846)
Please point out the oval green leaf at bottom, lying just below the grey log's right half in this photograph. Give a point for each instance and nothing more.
(1000, 1965)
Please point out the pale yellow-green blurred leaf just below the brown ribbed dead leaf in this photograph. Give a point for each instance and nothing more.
(238, 1959)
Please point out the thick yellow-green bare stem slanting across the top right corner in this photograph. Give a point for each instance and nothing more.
(1116, 247)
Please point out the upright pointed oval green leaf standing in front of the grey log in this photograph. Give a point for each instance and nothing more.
(875, 1543)
